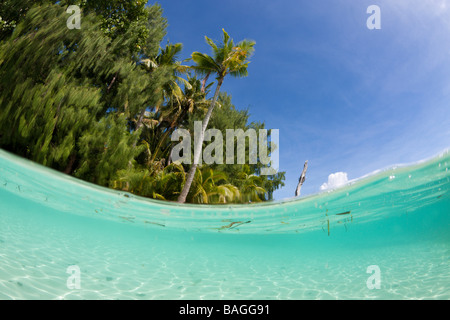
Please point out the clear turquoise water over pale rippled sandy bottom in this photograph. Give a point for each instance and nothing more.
(317, 247)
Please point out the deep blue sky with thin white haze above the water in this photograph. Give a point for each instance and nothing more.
(344, 97)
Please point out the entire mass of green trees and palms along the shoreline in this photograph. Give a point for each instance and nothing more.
(101, 102)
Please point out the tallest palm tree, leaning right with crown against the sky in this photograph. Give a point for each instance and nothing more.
(228, 58)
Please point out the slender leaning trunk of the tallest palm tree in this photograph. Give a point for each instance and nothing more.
(198, 146)
